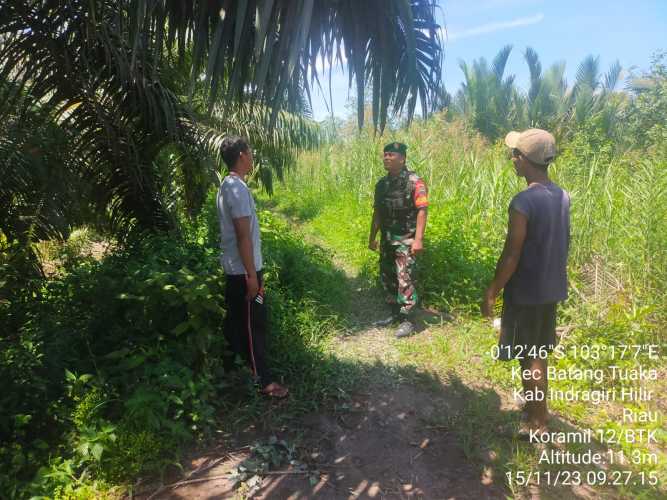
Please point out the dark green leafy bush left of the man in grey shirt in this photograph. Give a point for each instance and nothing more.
(134, 338)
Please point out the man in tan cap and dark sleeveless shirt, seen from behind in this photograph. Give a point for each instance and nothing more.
(532, 269)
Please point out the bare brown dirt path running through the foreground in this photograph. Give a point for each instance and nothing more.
(379, 445)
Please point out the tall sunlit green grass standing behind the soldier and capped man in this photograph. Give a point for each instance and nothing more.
(619, 210)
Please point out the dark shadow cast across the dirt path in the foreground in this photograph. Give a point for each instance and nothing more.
(395, 436)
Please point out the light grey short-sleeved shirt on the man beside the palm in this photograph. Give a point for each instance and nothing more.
(235, 201)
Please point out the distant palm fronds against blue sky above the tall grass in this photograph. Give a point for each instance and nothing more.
(492, 103)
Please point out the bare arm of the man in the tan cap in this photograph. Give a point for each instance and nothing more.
(509, 260)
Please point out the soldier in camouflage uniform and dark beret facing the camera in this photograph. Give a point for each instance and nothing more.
(399, 214)
